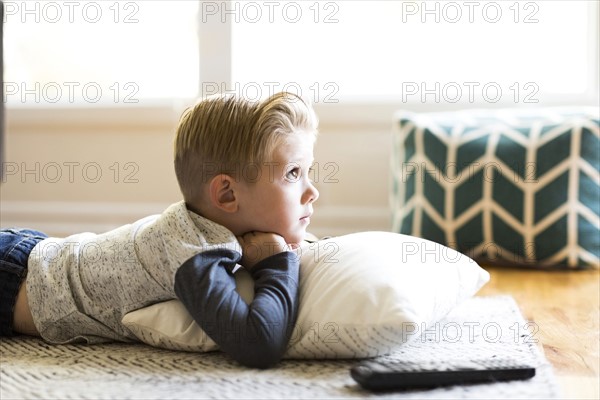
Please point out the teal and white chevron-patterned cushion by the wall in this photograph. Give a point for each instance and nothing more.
(511, 186)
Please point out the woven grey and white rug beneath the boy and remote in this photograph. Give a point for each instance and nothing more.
(481, 327)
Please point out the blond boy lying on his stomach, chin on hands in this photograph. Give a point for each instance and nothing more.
(243, 169)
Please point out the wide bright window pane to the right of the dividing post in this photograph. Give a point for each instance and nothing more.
(378, 50)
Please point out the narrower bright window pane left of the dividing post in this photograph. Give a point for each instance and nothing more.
(100, 52)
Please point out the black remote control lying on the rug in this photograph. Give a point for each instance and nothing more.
(397, 374)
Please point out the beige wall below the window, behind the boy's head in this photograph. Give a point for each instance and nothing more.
(54, 157)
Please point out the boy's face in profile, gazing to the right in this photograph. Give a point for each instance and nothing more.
(280, 199)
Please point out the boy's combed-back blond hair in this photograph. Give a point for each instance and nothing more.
(226, 133)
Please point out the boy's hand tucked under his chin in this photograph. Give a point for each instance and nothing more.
(256, 246)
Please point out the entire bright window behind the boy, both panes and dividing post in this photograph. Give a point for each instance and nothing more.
(340, 52)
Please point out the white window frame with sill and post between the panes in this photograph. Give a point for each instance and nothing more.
(216, 66)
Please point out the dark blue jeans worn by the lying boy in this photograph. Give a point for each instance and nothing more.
(15, 246)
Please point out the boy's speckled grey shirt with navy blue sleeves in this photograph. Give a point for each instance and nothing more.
(80, 287)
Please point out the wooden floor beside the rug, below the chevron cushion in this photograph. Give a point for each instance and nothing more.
(565, 306)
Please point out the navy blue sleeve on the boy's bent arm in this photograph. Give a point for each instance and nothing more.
(255, 334)
